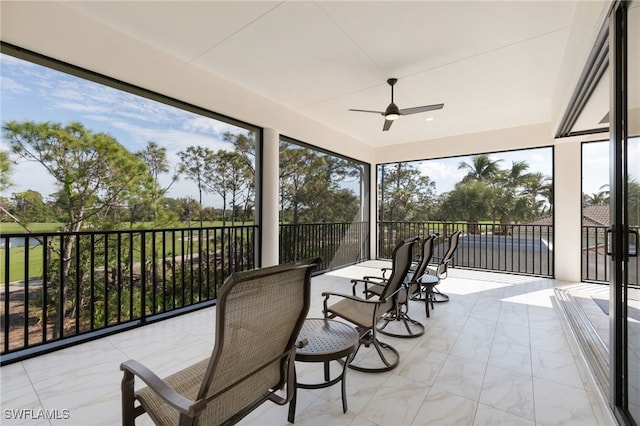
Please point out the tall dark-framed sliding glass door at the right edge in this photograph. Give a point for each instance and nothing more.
(625, 211)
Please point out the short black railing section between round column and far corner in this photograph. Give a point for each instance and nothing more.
(338, 244)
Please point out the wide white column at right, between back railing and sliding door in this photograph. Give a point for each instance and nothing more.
(568, 211)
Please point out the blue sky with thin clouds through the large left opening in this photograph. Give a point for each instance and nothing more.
(36, 93)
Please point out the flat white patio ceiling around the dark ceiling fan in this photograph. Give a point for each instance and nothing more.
(493, 64)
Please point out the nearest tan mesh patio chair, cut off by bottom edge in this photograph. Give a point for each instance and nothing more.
(259, 314)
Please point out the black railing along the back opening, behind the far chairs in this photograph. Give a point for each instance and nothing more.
(513, 248)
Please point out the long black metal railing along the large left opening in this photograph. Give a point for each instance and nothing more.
(60, 288)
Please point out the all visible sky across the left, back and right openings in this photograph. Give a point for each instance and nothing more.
(32, 92)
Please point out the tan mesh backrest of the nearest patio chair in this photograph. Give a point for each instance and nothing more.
(259, 314)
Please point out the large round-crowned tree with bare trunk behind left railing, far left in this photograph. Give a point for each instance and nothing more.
(92, 172)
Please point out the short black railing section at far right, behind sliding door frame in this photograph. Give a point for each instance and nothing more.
(595, 262)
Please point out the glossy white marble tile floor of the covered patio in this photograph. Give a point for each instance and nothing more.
(496, 354)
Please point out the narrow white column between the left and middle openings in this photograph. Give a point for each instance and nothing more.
(270, 184)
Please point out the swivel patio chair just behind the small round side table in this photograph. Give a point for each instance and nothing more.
(366, 312)
